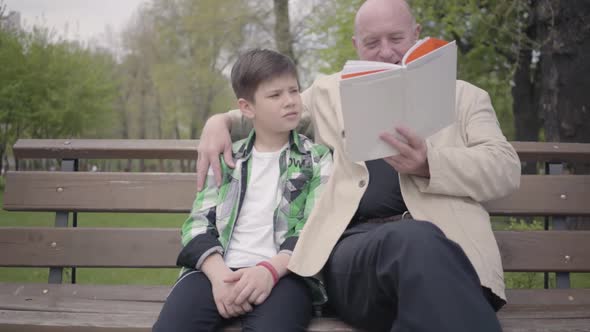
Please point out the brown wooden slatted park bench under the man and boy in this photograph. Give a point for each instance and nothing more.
(62, 306)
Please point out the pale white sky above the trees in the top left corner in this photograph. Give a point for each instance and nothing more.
(87, 19)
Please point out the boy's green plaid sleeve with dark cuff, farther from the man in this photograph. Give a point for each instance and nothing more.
(199, 234)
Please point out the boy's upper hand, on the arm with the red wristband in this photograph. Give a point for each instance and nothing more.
(251, 285)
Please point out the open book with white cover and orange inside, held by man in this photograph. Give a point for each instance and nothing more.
(418, 94)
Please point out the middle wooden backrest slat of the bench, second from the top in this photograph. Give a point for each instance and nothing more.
(175, 192)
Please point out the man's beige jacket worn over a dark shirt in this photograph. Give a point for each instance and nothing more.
(470, 162)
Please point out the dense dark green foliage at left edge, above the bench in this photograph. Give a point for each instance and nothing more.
(51, 89)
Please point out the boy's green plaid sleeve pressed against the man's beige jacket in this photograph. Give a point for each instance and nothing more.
(322, 166)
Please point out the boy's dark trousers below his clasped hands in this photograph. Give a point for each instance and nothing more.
(190, 307)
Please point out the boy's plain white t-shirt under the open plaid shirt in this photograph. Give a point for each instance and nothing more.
(252, 240)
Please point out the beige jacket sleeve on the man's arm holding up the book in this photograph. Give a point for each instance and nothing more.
(485, 168)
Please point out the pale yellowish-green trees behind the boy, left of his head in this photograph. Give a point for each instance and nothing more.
(176, 52)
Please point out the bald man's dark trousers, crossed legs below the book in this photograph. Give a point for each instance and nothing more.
(405, 276)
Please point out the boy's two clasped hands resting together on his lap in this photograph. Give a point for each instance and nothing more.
(237, 291)
